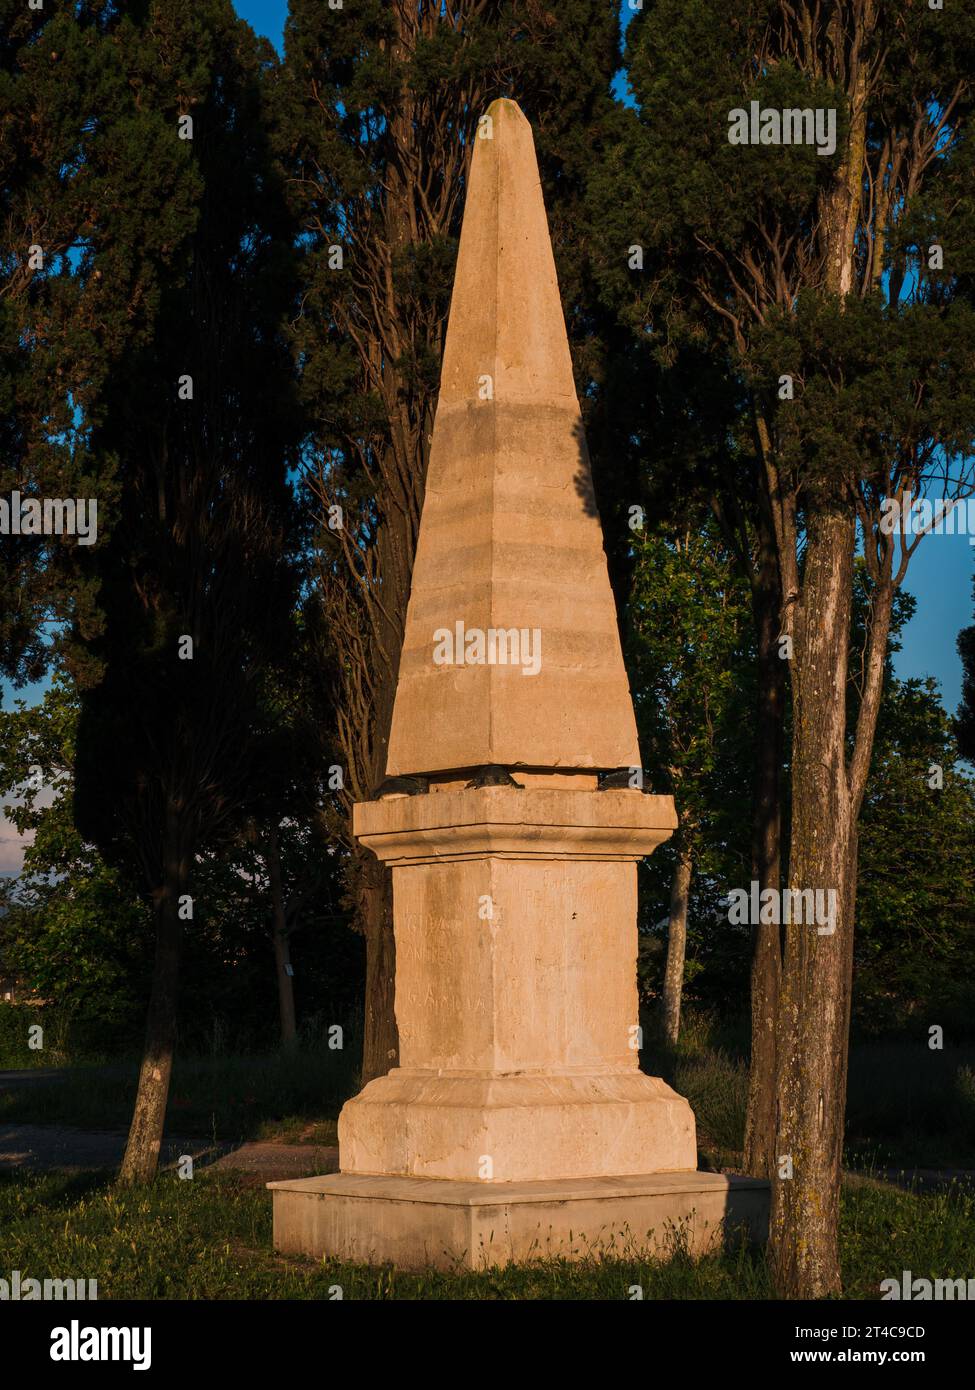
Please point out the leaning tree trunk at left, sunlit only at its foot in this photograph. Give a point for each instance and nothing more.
(145, 1139)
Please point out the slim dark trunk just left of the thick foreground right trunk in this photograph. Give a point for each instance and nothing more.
(766, 865)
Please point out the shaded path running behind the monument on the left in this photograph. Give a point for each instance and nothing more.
(41, 1149)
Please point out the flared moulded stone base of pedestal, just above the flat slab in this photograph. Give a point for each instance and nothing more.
(524, 1128)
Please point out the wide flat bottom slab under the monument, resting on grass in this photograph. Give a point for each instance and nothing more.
(421, 1224)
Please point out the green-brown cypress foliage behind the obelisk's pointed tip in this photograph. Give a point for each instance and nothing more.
(341, 111)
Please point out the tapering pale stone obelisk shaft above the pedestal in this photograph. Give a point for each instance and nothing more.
(510, 536)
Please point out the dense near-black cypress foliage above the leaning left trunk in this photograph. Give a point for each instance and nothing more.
(207, 533)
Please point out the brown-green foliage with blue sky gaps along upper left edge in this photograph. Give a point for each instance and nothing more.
(91, 174)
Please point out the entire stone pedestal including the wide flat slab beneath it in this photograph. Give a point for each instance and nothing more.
(519, 1122)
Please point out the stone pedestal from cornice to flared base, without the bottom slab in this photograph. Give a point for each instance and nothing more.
(517, 992)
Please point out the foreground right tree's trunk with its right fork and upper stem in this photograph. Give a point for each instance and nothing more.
(813, 1035)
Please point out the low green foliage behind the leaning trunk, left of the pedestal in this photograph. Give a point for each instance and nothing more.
(79, 935)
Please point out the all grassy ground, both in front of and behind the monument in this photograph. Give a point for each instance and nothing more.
(211, 1238)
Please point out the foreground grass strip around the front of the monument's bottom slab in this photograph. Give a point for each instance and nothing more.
(212, 1239)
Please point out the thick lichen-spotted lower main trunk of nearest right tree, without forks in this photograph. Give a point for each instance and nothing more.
(814, 1006)
